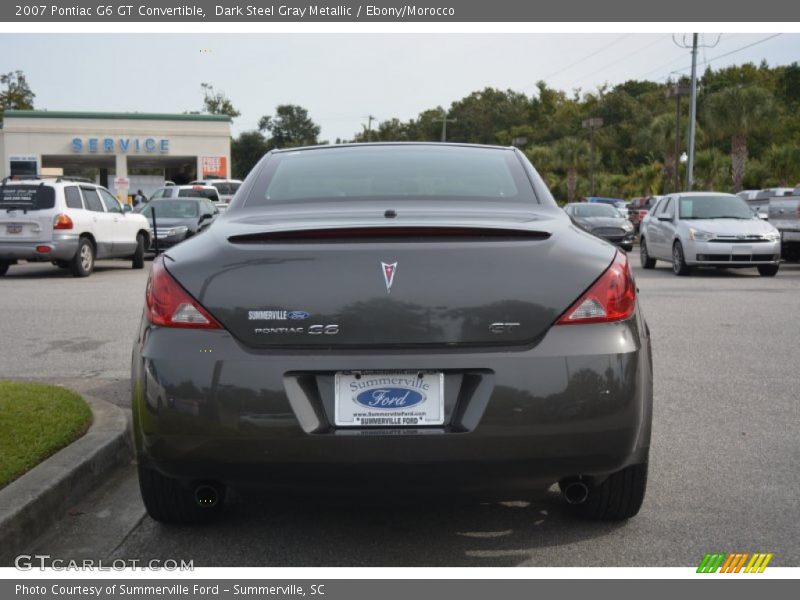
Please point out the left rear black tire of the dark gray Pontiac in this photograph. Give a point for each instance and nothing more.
(169, 501)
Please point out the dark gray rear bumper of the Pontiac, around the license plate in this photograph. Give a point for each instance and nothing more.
(580, 402)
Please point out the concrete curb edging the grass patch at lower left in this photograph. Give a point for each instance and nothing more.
(32, 503)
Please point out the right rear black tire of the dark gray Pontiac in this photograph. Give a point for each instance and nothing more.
(618, 498)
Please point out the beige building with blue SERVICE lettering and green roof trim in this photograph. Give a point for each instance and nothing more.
(122, 151)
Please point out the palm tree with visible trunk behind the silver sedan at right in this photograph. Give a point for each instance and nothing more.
(736, 112)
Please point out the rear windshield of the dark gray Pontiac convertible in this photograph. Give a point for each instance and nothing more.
(374, 172)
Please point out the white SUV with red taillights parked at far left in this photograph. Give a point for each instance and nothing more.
(67, 222)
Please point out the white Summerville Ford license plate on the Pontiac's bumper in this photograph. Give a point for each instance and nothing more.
(389, 398)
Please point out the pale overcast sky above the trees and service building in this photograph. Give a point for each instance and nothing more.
(343, 78)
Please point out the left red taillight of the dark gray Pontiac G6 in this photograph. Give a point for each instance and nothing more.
(169, 305)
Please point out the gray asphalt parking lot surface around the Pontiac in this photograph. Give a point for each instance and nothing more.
(723, 473)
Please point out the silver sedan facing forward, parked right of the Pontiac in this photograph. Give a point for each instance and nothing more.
(708, 229)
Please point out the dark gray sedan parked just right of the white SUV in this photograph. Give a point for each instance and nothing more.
(177, 219)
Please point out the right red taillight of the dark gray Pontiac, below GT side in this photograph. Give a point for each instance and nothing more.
(611, 298)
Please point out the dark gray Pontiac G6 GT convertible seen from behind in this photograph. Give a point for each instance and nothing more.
(415, 317)
